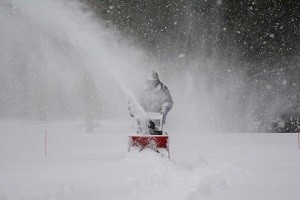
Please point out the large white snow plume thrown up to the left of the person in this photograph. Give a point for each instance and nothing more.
(56, 60)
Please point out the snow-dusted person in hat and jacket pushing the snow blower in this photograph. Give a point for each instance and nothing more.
(156, 98)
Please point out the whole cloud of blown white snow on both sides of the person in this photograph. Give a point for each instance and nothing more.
(58, 60)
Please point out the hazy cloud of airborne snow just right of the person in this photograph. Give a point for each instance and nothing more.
(208, 99)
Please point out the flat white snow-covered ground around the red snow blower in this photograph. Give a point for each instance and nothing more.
(85, 166)
